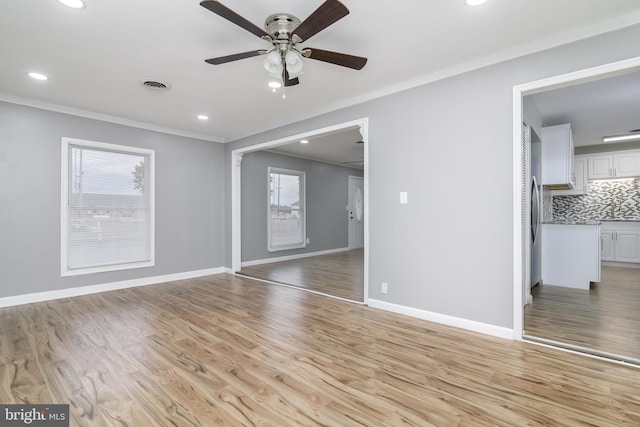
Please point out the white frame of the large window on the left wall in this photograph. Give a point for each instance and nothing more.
(64, 206)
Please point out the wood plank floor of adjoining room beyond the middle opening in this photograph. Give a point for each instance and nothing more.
(340, 274)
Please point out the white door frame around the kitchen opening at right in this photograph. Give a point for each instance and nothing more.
(519, 91)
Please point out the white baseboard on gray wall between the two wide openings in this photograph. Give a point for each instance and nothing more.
(470, 325)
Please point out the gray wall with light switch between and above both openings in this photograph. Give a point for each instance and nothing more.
(449, 144)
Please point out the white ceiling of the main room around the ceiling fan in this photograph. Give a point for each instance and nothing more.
(96, 57)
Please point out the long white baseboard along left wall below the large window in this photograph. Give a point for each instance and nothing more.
(104, 287)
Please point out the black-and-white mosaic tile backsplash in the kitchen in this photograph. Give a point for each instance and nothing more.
(607, 200)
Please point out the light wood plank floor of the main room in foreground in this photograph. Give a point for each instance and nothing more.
(231, 351)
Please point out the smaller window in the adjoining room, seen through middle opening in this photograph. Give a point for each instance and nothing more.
(286, 210)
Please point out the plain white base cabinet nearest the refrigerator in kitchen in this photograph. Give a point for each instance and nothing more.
(570, 255)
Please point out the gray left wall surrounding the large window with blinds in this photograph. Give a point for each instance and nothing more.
(189, 199)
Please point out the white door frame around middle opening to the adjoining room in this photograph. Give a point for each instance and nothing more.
(236, 197)
